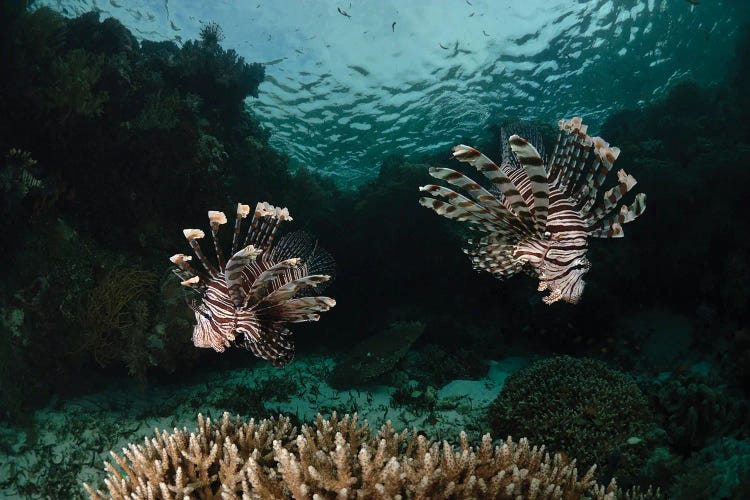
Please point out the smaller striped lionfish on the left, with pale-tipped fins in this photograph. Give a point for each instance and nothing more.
(248, 299)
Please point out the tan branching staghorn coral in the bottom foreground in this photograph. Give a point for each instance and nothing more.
(336, 458)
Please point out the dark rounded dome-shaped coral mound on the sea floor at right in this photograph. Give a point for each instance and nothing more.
(580, 407)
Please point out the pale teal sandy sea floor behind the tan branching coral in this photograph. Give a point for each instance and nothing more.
(67, 442)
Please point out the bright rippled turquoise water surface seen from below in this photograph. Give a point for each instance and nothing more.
(343, 91)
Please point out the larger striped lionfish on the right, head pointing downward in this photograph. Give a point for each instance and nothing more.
(538, 217)
